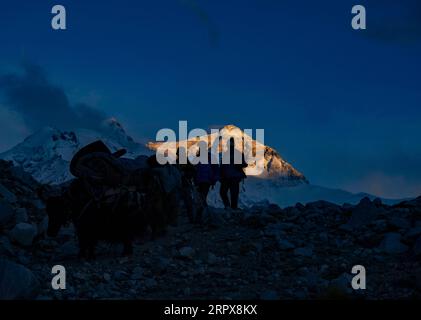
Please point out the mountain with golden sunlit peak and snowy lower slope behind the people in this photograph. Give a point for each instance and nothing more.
(279, 182)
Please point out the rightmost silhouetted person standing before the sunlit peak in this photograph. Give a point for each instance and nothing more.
(231, 176)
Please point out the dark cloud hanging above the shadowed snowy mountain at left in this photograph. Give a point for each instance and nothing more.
(41, 103)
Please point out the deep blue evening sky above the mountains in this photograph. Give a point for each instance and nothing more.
(343, 106)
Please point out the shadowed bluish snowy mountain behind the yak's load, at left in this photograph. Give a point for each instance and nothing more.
(47, 153)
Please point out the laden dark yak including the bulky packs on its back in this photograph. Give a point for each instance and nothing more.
(115, 199)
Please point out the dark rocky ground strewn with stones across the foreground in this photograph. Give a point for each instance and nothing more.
(264, 252)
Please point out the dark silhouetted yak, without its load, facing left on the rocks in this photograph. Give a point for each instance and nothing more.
(118, 215)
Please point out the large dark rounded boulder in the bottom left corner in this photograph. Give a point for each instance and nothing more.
(16, 281)
